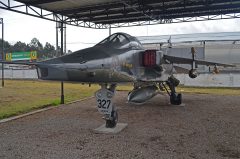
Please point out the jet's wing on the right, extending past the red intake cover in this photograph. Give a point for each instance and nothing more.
(182, 60)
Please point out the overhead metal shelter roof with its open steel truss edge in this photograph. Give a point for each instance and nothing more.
(103, 14)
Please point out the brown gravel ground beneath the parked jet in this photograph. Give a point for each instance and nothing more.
(206, 127)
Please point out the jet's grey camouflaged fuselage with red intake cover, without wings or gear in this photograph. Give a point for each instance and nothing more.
(108, 62)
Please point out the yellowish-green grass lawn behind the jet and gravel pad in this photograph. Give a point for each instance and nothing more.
(20, 96)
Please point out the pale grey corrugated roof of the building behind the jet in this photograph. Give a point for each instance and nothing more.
(184, 38)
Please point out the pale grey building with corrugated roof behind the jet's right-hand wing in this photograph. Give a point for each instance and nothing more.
(219, 47)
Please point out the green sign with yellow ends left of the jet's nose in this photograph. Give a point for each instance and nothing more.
(18, 56)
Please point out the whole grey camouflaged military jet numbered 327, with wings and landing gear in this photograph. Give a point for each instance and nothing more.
(120, 58)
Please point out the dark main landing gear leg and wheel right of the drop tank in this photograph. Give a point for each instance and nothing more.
(175, 98)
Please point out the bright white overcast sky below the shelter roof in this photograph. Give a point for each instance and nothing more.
(19, 27)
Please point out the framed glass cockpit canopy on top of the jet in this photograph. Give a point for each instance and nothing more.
(121, 40)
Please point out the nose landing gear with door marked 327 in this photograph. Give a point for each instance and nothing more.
(105, 106)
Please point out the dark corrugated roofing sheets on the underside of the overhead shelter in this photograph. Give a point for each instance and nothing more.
(126, 11)
